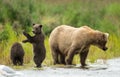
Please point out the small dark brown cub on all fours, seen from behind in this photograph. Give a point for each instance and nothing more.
(17, 54)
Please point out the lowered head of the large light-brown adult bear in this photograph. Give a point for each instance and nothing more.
(101, 40)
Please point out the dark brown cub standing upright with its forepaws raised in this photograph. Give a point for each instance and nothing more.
(38, 44)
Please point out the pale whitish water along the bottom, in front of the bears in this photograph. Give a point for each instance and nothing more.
(99, 69)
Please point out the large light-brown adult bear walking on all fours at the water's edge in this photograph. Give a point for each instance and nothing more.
(66, 41)
